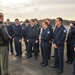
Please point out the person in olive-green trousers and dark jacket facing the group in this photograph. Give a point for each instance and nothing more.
(4, 38)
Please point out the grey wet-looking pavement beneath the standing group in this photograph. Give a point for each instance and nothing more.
(30, 66)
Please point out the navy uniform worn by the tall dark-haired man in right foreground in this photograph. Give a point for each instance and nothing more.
(59, 39)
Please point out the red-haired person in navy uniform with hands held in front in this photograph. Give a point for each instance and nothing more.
(45, 38)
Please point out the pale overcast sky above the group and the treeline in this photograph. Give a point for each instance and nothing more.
(39, 9)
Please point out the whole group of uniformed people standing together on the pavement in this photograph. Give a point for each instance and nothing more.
(32, 33)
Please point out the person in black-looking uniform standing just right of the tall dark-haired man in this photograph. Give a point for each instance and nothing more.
(71, 37)
